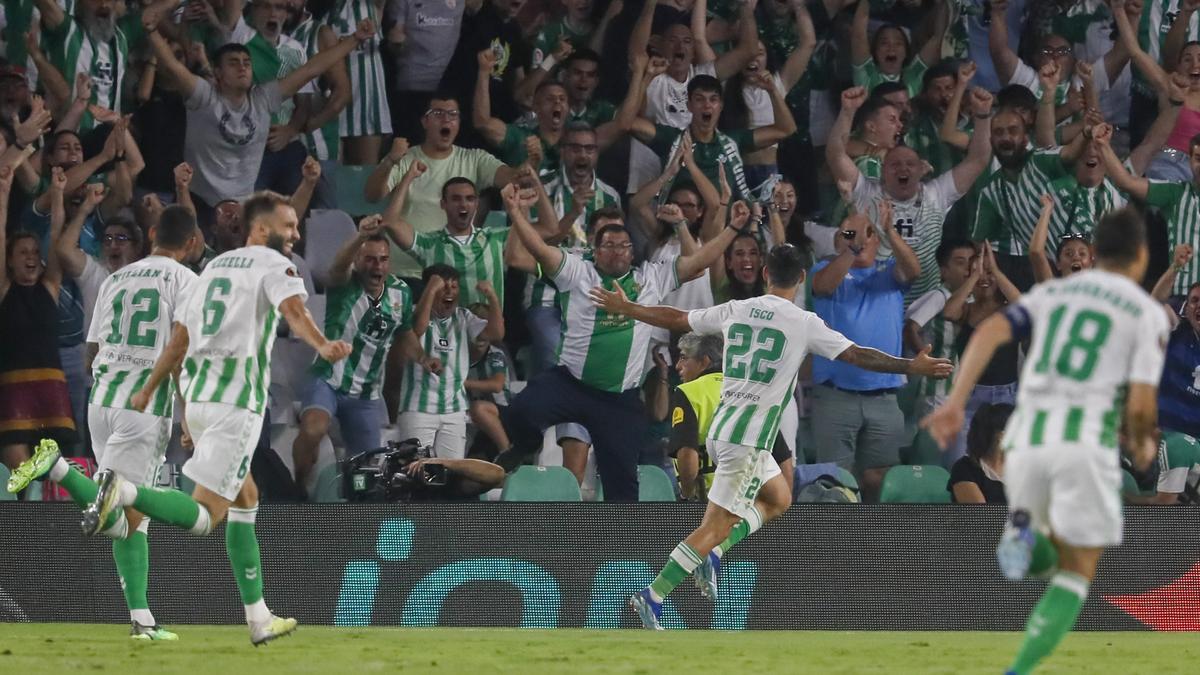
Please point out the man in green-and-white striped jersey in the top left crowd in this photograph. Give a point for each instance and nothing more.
(87, 37)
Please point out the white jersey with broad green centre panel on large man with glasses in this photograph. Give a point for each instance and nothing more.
(601, 350)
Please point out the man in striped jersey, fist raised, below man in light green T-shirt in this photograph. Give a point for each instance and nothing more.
(479, 254)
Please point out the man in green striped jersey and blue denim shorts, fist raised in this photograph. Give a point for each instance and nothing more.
(368, 308)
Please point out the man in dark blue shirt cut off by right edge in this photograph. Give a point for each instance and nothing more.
(1179, 396)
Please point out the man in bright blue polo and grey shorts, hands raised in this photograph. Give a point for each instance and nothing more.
(856, 421)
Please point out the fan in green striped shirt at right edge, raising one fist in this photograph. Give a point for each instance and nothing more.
(1180, 202)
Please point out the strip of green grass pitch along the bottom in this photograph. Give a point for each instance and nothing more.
(73, 648)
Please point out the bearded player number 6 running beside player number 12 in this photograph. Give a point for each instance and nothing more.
(226, 331)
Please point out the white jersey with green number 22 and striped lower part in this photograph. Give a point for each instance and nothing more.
(766, 342)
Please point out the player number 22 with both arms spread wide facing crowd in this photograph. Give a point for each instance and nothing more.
(766, 342)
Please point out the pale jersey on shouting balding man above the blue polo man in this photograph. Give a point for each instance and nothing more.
(919, 222)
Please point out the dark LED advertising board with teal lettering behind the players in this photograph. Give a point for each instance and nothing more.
(819, 568)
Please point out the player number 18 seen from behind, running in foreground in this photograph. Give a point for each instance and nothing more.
(1096, 357)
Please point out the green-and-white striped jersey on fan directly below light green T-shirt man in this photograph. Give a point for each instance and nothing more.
(478, 258)
